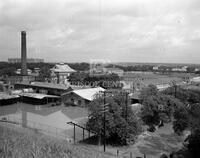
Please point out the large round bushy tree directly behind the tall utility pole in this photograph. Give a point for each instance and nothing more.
(120, 129)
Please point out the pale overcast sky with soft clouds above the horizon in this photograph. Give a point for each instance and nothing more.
(115, 30)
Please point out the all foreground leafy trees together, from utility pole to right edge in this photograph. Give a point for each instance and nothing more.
(123, 126)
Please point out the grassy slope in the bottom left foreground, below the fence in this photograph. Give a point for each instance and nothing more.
(24, 143)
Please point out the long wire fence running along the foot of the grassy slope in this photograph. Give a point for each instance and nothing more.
(63, 134)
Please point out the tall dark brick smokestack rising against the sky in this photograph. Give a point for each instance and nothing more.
(23, 54)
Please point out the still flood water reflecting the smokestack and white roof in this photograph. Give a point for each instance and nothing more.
(45, 118)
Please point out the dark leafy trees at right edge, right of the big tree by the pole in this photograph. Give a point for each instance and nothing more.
(181, 105)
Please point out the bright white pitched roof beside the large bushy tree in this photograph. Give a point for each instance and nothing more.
(88, 93)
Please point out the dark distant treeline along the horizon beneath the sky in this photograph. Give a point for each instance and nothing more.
(10, 68)
